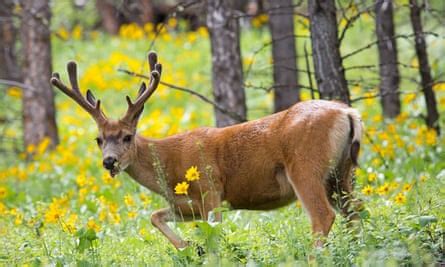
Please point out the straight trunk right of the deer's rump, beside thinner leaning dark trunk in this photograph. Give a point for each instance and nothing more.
(387, 48)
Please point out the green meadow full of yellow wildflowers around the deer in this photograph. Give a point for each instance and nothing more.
(63, 208)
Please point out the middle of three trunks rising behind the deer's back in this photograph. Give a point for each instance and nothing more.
(281, 24)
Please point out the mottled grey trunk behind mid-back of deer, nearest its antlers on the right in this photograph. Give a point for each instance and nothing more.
(227, 73)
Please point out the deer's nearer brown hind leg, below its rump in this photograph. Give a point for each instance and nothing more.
(310, 189)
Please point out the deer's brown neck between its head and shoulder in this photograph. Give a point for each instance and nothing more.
(143, 167)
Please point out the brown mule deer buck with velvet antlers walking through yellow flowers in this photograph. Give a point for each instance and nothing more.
(307, 152)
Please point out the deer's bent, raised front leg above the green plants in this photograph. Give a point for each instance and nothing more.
(160, 218)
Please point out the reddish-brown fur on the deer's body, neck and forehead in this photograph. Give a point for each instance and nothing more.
(259, 165)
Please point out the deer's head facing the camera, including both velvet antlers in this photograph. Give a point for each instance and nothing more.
(116, 138)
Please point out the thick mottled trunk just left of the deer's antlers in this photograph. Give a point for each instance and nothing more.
(38, 99)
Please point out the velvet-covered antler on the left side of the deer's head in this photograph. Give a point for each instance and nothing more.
(90, 104)
